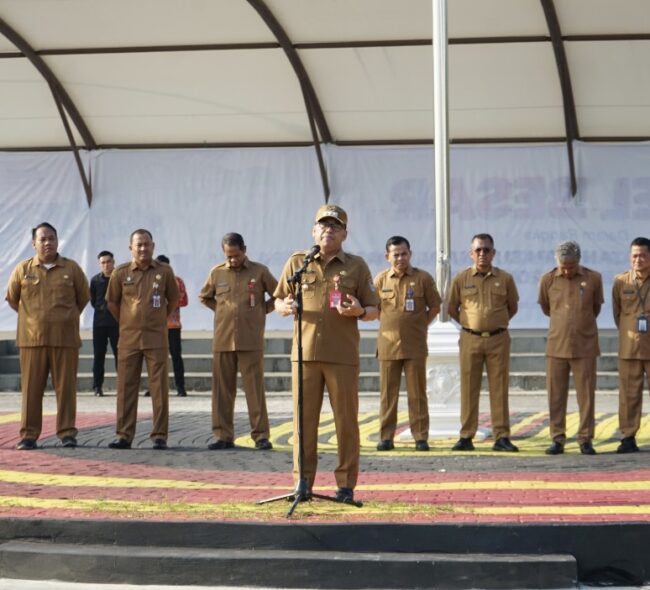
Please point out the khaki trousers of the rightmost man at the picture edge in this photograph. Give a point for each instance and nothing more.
(630, 396)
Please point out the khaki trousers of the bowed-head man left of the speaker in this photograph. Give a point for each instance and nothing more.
(224, 391)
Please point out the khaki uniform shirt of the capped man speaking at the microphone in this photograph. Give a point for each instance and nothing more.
(327, 335)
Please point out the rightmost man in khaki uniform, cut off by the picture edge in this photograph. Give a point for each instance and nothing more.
(631, 306)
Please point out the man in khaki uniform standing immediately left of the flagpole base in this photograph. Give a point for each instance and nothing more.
(409, 302)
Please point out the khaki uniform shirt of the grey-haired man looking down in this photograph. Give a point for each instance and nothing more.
(572, 305)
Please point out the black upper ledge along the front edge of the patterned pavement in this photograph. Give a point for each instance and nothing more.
(604, 553)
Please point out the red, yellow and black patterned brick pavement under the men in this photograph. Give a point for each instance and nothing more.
(191, 483)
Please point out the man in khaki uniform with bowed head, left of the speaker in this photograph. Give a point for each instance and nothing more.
(235, 290)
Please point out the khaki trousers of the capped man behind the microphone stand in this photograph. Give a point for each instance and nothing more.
(342, 383)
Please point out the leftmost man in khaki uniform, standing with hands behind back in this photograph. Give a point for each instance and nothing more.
(49, 292)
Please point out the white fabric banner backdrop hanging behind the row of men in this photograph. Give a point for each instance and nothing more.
(190, 198)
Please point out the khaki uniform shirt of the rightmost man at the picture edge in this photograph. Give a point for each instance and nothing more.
(627, 308)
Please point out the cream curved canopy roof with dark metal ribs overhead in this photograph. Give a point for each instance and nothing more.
(150, 73)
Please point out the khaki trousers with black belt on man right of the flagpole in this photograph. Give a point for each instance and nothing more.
(494, 353)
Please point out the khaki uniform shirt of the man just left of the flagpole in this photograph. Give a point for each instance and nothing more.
(403, 334)
